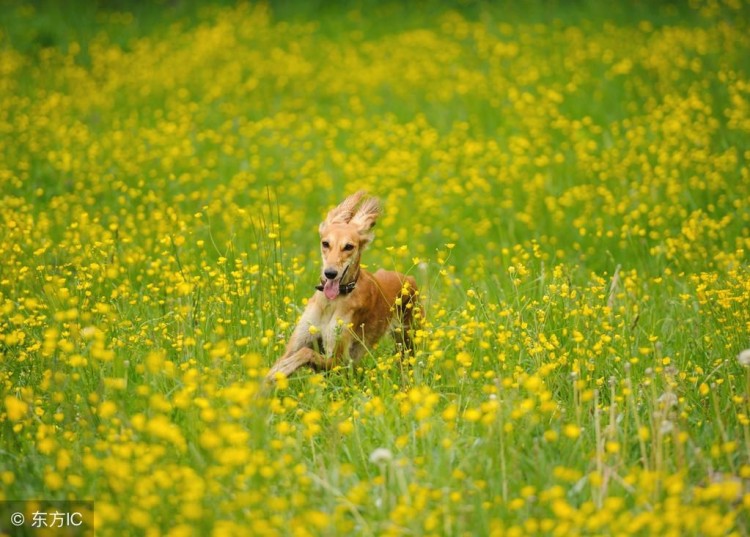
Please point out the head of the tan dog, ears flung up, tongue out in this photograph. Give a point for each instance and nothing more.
(343, 235)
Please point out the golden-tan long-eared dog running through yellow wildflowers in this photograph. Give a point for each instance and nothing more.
(352, 308)
